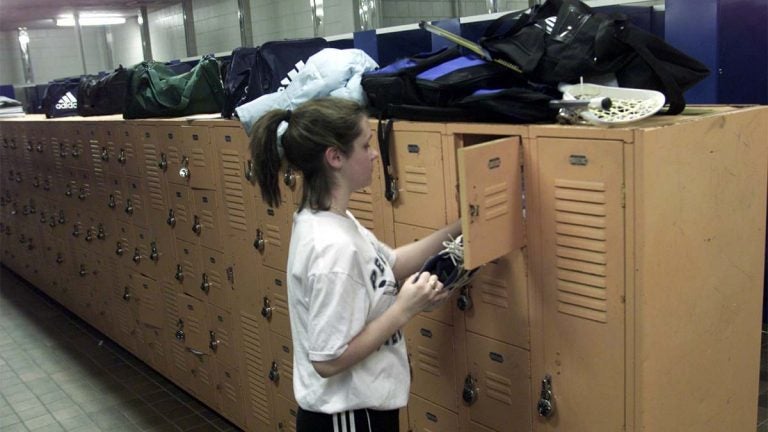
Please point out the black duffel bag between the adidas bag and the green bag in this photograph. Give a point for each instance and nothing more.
(103, 95)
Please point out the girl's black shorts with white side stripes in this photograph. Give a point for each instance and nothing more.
(360, 420)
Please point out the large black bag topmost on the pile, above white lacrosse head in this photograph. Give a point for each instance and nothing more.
(564, 40)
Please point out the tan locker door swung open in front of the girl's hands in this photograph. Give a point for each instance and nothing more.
(490, 192)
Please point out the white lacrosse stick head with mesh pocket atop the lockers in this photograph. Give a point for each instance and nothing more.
(606, 106)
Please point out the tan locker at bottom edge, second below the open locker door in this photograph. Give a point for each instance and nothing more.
(497, 388)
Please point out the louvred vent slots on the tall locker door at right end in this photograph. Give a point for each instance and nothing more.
(580, 226)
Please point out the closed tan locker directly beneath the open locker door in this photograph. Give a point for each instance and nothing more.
(499, 301)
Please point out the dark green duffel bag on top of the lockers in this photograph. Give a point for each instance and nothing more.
(157, 91)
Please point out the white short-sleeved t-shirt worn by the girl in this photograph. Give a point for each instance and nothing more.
(340, 278)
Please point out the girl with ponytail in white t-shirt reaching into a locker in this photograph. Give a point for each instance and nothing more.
(345, 302)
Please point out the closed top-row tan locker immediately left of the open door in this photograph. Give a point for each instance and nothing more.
(418, 164)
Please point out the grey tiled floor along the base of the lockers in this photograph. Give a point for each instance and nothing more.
(57, 373)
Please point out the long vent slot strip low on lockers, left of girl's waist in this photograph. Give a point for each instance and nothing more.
(257, 394)
